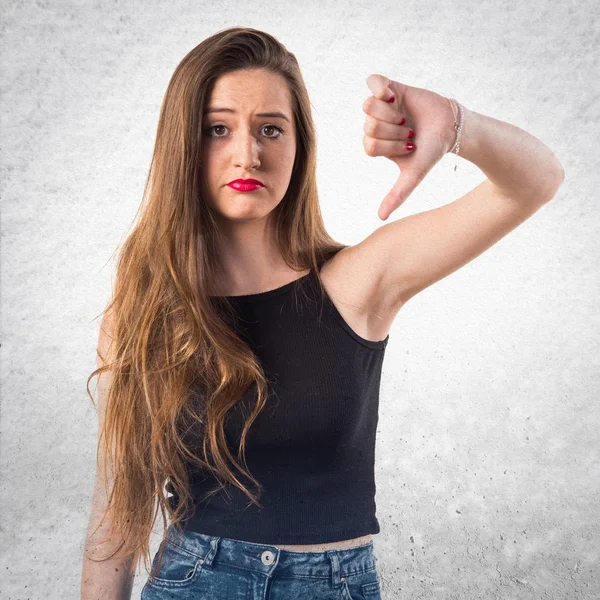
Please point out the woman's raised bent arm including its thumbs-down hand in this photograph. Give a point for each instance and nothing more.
(408, 255)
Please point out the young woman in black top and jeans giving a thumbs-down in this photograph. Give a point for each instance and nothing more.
(240, 356)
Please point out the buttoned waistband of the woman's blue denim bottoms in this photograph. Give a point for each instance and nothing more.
(268, 559)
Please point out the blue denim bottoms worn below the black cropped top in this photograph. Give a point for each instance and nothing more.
(207, 567)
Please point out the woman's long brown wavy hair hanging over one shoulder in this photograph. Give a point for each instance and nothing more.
(172, 341)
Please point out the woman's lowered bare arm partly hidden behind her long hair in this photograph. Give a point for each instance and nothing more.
(111, 579)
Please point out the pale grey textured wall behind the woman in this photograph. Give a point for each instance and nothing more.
(487, 455)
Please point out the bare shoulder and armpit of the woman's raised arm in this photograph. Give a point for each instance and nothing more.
(353, 283)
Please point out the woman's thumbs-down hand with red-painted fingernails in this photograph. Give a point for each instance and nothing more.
(426, 113)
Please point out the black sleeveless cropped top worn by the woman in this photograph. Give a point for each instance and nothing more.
(313, 445)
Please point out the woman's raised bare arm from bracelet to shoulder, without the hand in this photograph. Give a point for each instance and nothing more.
(408, 255)
